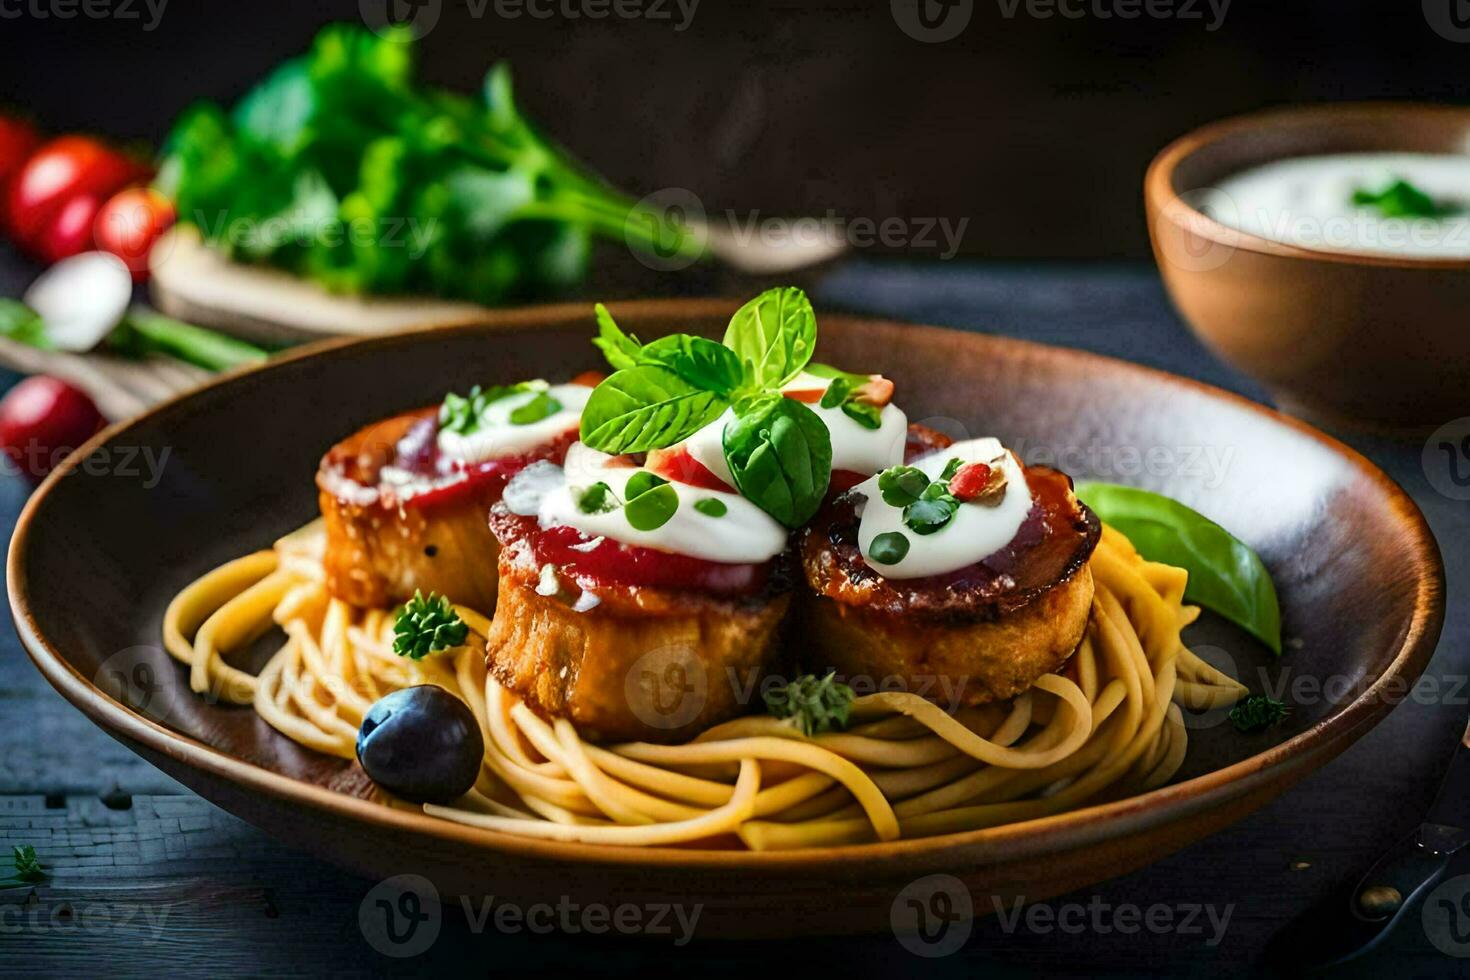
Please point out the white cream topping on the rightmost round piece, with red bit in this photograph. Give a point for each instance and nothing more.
(975, 533)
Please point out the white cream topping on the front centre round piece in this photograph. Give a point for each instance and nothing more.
(745, 534)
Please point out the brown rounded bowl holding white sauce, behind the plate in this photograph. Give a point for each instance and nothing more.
(1366, 342)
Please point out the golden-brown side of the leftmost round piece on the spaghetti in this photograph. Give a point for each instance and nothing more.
(379, 552)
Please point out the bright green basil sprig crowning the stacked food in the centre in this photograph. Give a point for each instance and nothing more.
(778, 450)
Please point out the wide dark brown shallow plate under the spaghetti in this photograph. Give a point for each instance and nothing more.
(98, 555)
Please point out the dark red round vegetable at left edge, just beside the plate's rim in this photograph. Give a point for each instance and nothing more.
(42, 419)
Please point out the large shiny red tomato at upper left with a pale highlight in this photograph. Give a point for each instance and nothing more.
(64, 170)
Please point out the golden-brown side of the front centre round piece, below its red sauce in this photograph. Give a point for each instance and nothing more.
(659, 674)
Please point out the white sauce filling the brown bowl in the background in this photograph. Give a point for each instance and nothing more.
(1308, 202)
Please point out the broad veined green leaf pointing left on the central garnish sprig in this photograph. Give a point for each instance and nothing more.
(646, 408)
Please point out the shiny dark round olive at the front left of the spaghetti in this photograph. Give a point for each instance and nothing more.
(421, 744)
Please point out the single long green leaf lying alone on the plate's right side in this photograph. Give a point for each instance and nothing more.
(1225, 575)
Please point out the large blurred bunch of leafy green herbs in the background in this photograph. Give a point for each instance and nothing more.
(345, 170)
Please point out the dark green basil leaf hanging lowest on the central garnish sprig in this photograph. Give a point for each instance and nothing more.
(781, 456)
